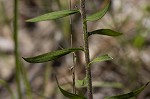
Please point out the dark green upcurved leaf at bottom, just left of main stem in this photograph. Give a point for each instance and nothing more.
(68, 94)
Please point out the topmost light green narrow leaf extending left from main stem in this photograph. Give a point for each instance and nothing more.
(53, 15)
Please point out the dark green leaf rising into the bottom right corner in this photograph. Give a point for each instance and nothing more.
(130, 94)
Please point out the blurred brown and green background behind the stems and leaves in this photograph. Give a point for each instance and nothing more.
(131, 51)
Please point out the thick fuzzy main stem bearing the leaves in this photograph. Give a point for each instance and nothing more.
(86, 50)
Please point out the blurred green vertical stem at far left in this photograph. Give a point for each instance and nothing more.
(16, 48)
